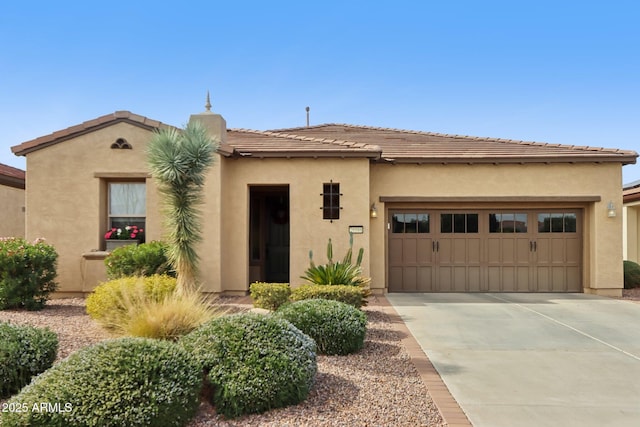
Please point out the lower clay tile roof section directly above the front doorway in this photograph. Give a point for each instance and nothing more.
(254, 143)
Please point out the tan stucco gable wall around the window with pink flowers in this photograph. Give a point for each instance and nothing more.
(67, 202)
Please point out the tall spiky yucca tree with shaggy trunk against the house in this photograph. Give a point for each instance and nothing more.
(178, 160)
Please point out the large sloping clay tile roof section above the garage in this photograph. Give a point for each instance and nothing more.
(416, 146)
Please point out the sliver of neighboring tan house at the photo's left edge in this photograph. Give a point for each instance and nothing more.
(12, 197)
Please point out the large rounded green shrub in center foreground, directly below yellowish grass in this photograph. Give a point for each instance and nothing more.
(254, 362)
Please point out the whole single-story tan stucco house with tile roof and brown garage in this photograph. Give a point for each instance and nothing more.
(433, 212)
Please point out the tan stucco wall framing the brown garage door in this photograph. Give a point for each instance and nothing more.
(602, 251)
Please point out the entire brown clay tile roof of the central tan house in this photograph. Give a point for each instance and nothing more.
(378, 144)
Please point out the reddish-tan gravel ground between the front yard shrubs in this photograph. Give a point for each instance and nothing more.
(378, 386)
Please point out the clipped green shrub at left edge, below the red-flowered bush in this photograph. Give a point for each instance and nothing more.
(25, 351)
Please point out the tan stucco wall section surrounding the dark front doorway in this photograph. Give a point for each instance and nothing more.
(308, 230)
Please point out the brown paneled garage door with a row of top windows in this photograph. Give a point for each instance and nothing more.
(485, 250)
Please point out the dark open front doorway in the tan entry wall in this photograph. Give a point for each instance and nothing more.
(269, 234)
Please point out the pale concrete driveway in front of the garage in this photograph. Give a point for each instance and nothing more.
(532, 359)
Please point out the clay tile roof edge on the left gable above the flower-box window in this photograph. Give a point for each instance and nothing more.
(85, 127)
